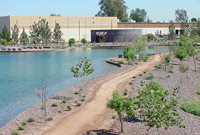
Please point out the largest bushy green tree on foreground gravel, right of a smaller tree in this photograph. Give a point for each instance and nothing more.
(157, 107)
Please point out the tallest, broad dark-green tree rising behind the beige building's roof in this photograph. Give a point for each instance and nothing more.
(113, 8)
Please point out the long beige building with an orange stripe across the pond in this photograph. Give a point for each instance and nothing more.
(72, 27)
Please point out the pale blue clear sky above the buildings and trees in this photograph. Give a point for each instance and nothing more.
(157, 10)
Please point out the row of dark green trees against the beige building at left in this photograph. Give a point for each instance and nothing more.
(40, 33)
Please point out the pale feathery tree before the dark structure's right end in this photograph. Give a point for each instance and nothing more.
(138, 45)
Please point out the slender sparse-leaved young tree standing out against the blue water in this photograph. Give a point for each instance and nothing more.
(82, 68)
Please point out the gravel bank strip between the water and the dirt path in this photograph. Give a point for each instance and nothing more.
(35, 111)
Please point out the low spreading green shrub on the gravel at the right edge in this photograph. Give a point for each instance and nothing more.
(193, 108)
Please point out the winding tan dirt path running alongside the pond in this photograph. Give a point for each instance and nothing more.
(94, 114)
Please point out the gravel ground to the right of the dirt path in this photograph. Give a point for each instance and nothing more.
(188, 86)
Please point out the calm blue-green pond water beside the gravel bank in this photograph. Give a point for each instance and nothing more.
(20, 74)
